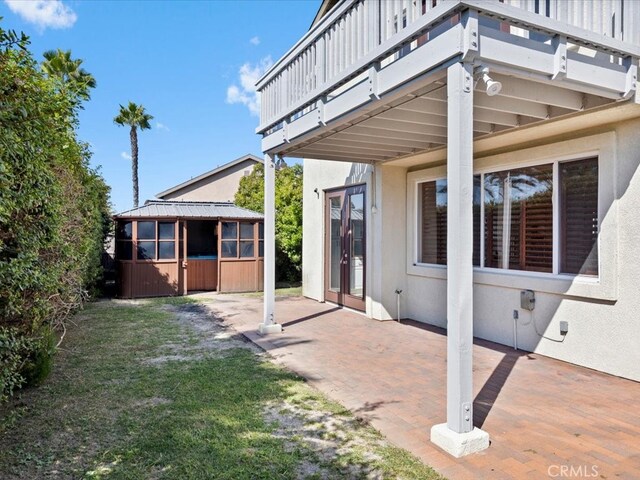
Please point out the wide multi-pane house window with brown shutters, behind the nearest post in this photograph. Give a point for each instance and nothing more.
(518, 215)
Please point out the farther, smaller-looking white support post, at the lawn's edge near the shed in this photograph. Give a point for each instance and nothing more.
(269, 324)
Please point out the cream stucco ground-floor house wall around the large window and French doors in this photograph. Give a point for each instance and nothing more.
(603, 313)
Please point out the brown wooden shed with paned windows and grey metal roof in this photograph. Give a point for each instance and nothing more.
(171, 248)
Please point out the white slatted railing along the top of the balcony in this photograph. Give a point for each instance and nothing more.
(357, 33)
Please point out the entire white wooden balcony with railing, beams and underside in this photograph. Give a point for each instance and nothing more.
(371, 67)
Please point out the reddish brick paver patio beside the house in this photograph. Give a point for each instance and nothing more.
(546, 418)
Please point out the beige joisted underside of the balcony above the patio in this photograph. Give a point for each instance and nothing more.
(416, 122)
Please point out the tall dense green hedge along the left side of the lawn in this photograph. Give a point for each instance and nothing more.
(54, 213)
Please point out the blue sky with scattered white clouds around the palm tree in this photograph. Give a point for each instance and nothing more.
(179, 59)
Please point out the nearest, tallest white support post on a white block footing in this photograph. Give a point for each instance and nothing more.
(458, 436)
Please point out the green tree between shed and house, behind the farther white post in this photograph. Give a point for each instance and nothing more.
(288, 214)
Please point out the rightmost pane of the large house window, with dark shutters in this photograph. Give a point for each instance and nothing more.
(579, 217)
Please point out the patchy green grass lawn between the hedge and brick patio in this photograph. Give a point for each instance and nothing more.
(160, 389)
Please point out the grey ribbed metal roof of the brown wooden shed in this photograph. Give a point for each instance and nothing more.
(176, 209)
